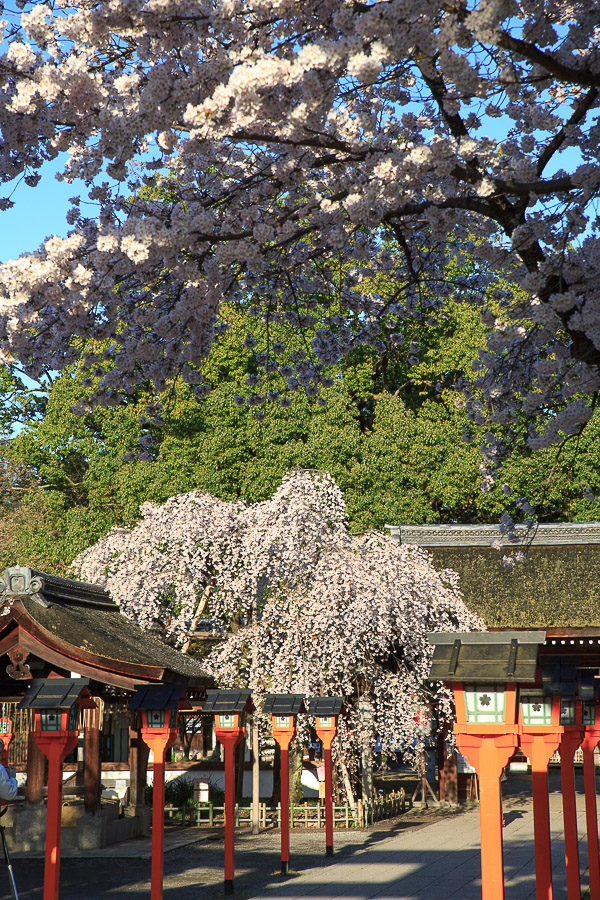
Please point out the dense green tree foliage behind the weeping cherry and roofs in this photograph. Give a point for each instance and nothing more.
(391, 434)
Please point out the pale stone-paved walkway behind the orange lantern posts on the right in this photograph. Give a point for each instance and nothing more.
(439, 862)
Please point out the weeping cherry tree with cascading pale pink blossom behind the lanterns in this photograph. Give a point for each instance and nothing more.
(307, 606)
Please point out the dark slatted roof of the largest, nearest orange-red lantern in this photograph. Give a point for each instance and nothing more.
(485, 657)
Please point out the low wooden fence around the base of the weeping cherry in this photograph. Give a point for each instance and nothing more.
(302, 816)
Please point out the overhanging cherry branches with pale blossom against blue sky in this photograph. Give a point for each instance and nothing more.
(230, 145)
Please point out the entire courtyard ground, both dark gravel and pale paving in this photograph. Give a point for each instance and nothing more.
(405, 860)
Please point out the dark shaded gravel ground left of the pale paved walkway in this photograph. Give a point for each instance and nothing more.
(195, 872)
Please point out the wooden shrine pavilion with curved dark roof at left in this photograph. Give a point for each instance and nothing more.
(57, 627)
